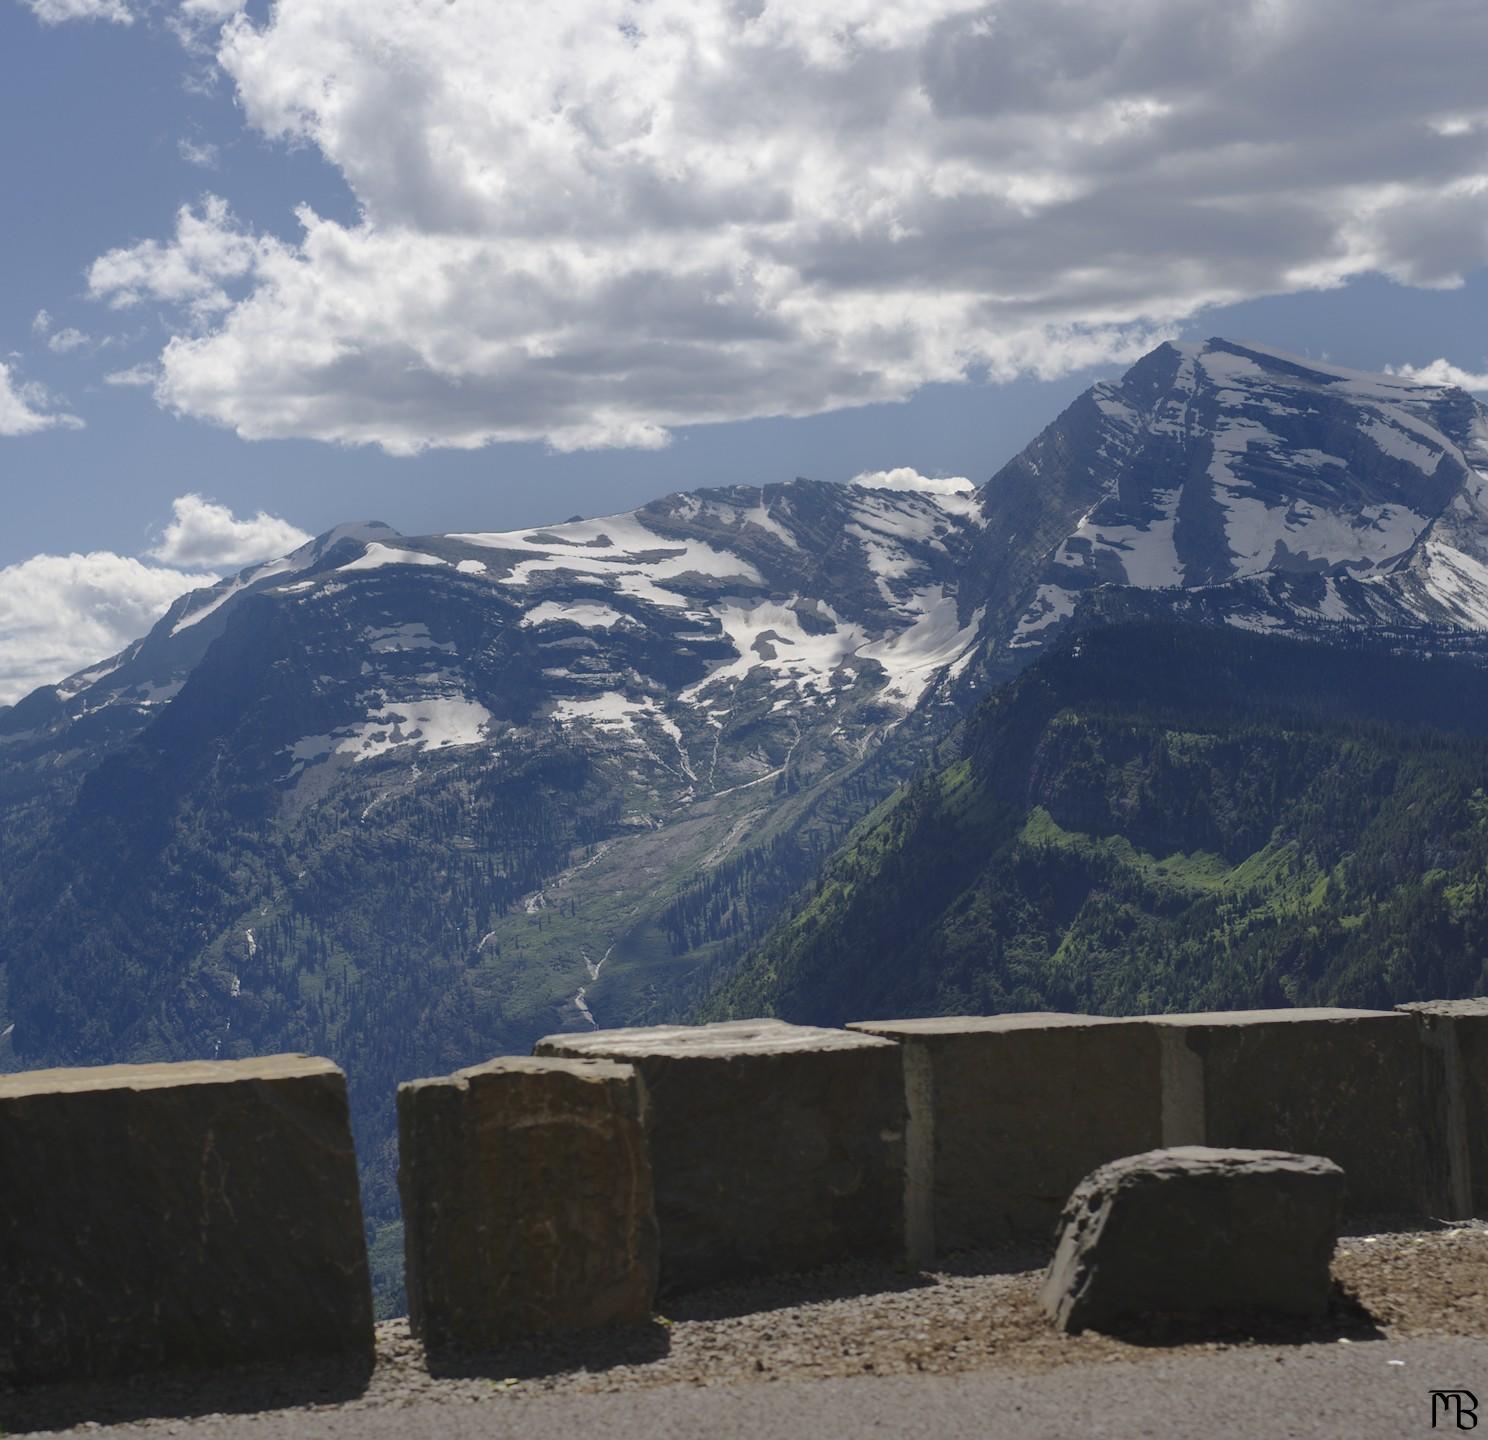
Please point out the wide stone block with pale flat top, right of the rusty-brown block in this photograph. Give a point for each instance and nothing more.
(775, 1146)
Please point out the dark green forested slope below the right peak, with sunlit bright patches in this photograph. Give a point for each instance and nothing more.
(1164, 817)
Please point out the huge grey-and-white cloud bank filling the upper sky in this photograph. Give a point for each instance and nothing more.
(596, 221)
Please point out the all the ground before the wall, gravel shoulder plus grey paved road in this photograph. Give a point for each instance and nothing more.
(880, 1334)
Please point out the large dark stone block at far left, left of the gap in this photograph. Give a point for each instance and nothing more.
(179, 1216)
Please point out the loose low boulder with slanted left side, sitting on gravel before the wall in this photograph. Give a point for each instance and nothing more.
(1196, 1231)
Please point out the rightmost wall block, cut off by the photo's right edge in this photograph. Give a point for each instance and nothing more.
(1455, 1079)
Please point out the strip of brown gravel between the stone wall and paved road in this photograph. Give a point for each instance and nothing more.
(974, 1314)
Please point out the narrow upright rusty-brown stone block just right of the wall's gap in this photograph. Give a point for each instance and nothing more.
(527, 1201)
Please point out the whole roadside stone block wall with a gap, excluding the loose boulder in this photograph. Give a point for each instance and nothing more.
(205, 1215)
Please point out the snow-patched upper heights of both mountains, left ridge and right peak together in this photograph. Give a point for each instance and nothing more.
(1237, 483)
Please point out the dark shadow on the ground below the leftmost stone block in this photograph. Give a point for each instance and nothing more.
(175, 1395)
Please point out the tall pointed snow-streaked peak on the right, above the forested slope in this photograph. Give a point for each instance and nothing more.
(1286, 493)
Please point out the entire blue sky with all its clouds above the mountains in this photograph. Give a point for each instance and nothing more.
(849, 237)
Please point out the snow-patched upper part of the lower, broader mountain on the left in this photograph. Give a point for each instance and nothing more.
(789, 605)
